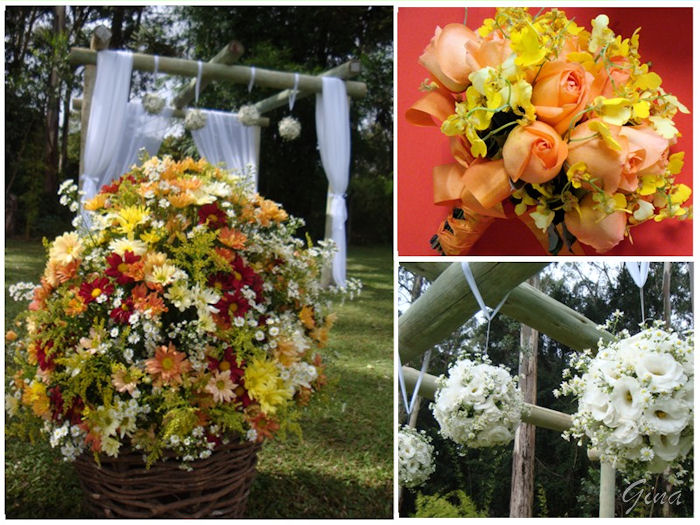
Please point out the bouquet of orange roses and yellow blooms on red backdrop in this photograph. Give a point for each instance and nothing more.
(568, 125)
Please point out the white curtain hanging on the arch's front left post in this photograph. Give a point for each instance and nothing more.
(108, 115)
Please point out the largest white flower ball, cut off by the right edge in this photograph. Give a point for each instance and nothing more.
(636, 401)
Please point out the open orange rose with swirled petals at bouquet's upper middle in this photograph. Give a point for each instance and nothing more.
(561, 91)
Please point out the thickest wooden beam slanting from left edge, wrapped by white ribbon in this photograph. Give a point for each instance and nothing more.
(448, 302)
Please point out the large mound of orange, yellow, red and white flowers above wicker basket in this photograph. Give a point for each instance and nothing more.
(186, 317)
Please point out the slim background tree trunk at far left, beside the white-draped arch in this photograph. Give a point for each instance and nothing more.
(51, 147)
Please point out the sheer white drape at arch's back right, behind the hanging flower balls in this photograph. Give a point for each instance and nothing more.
(223, 139)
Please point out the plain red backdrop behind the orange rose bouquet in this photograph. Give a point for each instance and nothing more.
(665, 40)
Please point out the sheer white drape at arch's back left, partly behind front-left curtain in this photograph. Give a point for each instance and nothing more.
(142, 130)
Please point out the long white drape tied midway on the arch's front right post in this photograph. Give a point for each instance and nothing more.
(333, 131)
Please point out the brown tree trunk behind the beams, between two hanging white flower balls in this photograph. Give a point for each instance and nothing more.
(523, 472)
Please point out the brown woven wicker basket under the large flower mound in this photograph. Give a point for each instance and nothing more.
(216, 487)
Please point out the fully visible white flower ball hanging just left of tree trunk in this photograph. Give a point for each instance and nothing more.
(478, 404)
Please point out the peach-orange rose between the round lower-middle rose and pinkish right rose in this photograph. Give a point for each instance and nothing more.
(604, 163)
